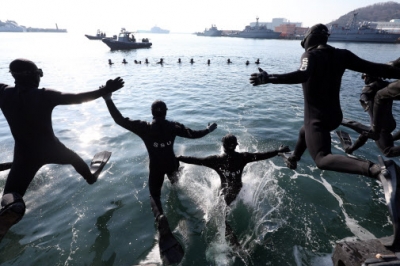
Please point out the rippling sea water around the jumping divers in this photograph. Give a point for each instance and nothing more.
(281, 216)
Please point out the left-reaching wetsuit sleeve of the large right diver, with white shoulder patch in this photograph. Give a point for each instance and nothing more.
(296, 77)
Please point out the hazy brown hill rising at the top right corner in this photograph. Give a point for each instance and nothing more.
(376, 12)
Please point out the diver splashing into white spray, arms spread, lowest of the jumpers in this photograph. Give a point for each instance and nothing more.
(229, 166)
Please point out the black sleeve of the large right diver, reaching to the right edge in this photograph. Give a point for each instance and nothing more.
(355, 63)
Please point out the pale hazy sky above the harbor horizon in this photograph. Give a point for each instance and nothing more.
(176, 15)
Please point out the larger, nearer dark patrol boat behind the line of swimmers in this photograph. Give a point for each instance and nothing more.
(125, 41)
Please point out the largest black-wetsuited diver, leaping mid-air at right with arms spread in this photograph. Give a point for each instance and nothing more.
(321, 70)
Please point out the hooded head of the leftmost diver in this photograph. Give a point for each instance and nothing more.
(25, 72)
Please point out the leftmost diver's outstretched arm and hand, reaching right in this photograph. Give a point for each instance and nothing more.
(77, 98)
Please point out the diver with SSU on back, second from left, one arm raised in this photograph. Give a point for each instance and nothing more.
(158, 137)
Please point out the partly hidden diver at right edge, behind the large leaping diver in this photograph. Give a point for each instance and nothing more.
(386, 140)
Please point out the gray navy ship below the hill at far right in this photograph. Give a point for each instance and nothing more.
(361, 32)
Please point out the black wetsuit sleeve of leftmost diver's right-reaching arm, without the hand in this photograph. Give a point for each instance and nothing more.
(60, 98)
